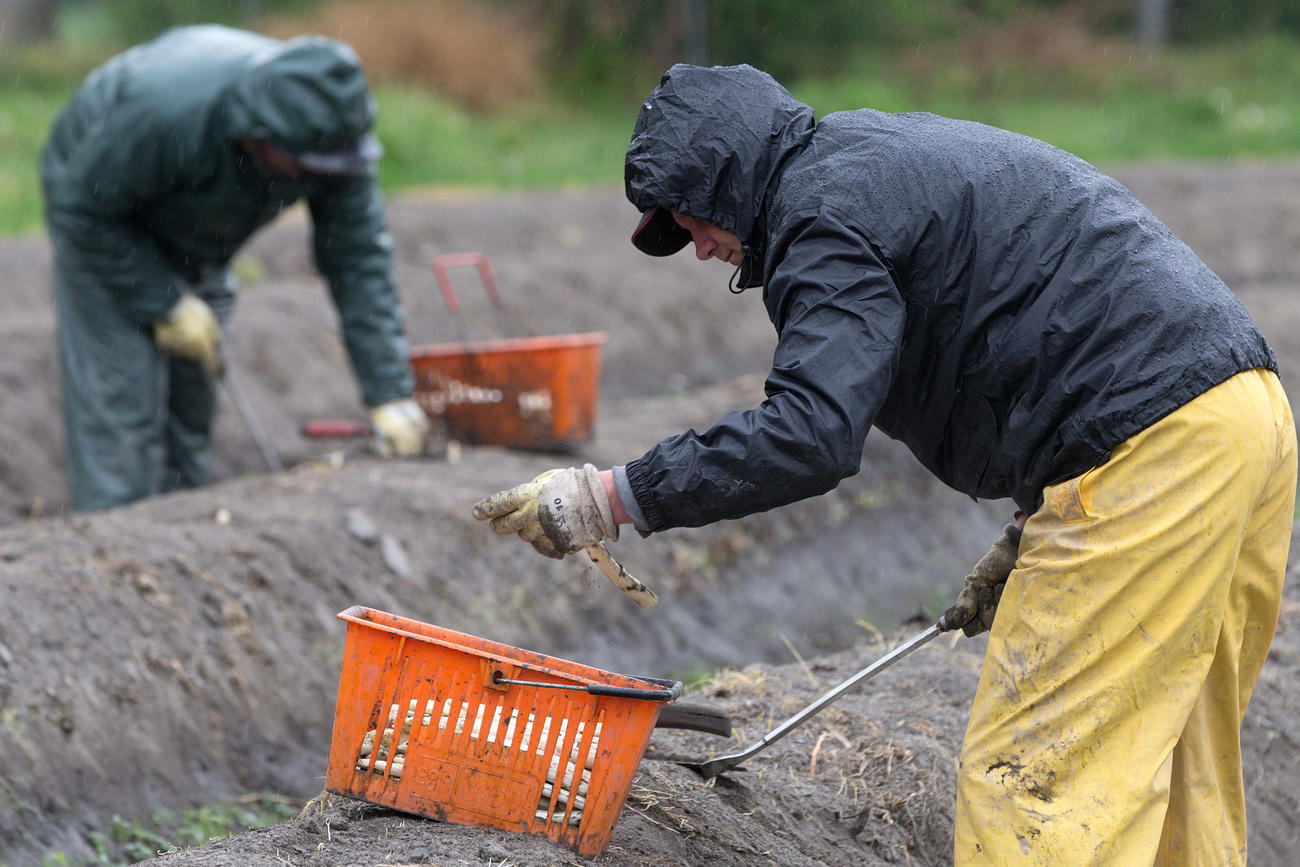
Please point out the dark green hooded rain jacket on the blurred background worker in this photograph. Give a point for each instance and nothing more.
(148, 185)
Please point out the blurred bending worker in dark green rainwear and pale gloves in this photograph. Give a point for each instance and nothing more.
(166, 162)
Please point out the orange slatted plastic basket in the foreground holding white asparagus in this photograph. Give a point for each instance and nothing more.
(474, 732)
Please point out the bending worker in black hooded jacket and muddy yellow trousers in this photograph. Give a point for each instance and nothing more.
(1032, 332)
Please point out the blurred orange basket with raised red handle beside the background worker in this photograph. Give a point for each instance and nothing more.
(535, 393)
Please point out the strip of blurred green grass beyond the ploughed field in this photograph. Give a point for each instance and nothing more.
(1238, 101)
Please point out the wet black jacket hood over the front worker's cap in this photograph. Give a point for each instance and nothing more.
(710, 144)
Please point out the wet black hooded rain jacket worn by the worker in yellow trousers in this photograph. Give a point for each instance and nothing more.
(998, 305)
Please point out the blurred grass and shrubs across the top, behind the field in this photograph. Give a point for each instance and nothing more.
(544, 93)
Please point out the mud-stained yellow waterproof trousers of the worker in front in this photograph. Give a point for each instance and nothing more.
(1107, 725)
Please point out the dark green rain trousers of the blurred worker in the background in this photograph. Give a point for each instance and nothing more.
(136, 422)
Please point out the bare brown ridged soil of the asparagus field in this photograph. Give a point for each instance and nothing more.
(185, 651)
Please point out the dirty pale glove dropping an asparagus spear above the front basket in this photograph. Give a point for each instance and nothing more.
(560, 513)
